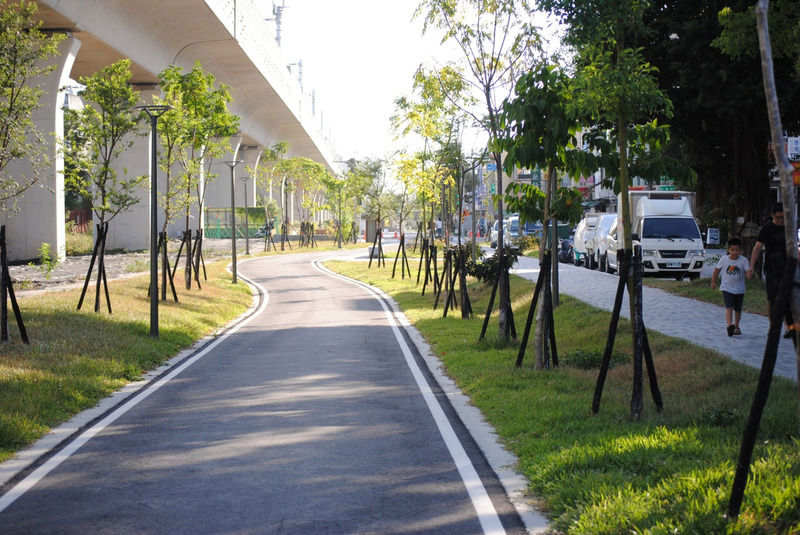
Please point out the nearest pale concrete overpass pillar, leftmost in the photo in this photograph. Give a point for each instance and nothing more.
(41, 214)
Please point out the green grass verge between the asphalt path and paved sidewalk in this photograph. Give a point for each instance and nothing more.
(605, 473)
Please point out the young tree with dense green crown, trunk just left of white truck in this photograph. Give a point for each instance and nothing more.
(617, 89)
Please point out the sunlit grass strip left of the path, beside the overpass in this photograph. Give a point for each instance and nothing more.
(75, 358)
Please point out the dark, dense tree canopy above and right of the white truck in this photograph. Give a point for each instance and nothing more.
(706, 53)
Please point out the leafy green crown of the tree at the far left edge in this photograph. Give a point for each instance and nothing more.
(24, 54)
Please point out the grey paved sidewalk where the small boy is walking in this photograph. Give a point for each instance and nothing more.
(700, 323)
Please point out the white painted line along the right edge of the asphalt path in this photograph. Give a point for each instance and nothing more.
(487, 514)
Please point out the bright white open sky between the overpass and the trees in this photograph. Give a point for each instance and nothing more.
(358, 57)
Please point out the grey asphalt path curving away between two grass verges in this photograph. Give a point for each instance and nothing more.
(315, 414)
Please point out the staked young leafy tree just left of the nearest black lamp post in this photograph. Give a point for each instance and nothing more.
(95, 137)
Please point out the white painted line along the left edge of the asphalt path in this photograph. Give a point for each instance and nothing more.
(37, 475)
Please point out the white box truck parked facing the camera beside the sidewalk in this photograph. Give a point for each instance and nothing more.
(663, 223)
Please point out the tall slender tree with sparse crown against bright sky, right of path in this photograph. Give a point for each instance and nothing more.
(498, 40)
